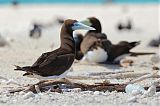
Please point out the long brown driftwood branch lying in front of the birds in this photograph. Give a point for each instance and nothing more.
(105, 86)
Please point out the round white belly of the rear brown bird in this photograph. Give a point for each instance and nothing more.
(97, 55)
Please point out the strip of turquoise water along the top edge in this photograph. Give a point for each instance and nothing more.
(79, 1)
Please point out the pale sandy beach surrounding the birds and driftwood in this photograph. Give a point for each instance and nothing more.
(15, 24)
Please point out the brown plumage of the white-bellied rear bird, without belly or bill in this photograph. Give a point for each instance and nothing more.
(94, 39)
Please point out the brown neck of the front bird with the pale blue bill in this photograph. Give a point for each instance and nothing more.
(67, 40)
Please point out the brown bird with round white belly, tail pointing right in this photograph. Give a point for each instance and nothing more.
(97, 48)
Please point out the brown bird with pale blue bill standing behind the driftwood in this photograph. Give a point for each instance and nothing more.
(56, 64)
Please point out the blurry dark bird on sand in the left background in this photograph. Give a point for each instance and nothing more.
(36, 32)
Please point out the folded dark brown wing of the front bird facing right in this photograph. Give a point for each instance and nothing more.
(57, 66)
